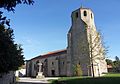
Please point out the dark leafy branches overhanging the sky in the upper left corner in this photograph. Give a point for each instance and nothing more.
(10, 5)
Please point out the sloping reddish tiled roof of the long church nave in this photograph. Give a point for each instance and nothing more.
(49, 54)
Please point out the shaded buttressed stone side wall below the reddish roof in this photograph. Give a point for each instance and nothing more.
(53, 65)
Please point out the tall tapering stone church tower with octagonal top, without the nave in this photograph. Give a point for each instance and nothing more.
(78, 51)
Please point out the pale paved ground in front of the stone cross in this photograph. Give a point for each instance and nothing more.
(34, 80)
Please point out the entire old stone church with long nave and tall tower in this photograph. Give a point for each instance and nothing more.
(84, 49)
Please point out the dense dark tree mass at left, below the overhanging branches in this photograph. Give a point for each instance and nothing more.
(10, 53)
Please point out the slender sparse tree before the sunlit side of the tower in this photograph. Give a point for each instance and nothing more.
(97, 48)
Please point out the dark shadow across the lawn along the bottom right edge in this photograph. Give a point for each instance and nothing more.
(100, 80)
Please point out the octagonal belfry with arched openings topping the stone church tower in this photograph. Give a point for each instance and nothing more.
(84, 14)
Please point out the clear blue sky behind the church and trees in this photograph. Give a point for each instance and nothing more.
(43, 27)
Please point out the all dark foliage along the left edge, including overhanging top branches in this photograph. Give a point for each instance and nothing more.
(10, 53)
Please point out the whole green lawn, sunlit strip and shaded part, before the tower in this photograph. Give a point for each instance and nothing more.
(109, 78)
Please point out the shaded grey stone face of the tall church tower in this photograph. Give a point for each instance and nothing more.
(77, 45)
